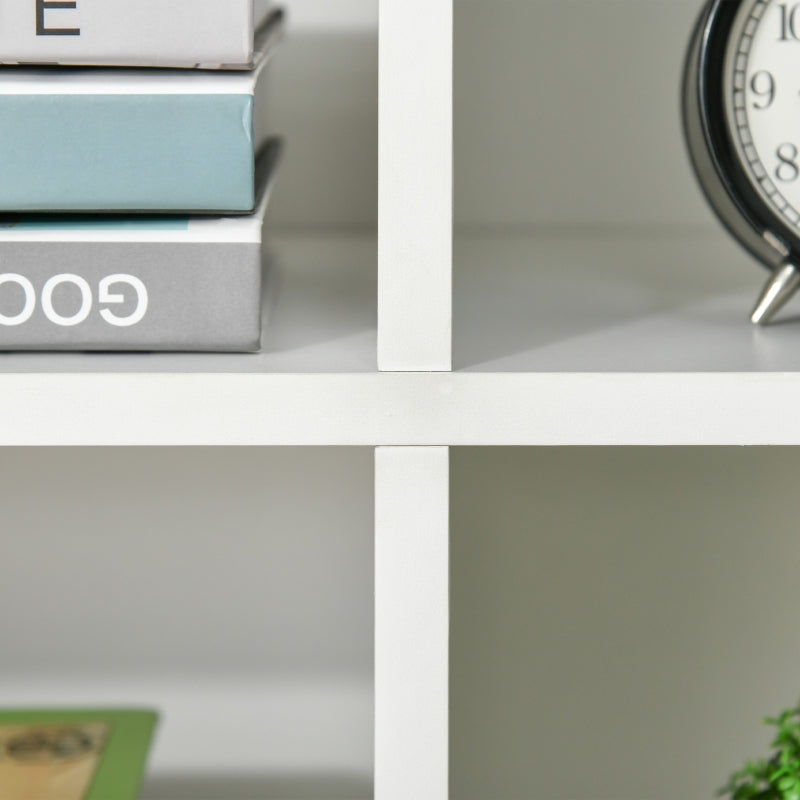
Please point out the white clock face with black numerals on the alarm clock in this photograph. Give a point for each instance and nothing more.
(762, 102)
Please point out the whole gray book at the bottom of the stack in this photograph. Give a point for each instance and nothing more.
(135, 283)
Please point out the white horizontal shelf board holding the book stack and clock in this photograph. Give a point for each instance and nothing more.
(626, 338)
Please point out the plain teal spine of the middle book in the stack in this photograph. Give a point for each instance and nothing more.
(127, 152)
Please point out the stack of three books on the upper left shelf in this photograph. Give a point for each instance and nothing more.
(135, 171)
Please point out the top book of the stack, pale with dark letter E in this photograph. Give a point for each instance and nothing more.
(203, 34)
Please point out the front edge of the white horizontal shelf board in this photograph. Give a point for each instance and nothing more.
(402, 409)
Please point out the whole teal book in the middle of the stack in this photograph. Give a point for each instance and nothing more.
(133, 140)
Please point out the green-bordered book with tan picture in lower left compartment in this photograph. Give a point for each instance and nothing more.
(74, 755)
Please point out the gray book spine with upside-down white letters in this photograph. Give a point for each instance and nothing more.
(130, 296)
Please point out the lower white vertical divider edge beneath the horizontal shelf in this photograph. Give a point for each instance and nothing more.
(412, 580)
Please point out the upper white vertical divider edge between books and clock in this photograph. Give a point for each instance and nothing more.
(415, 207)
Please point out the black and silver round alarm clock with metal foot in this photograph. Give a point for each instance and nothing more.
(741, 109)
